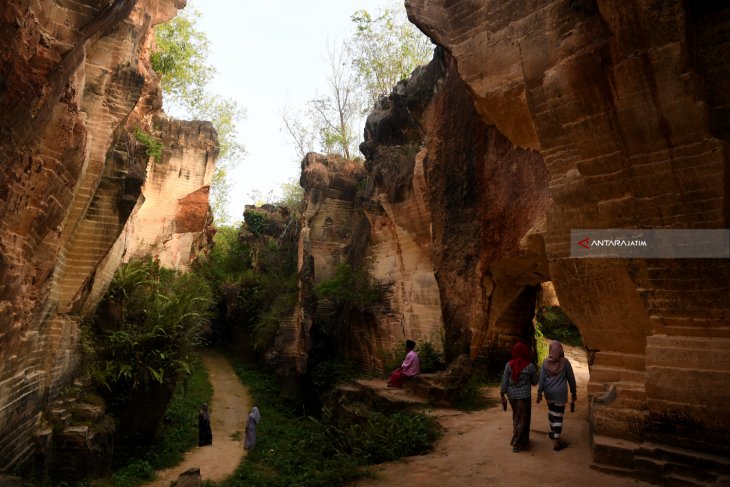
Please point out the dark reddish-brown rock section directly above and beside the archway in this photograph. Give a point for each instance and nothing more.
(488, 199)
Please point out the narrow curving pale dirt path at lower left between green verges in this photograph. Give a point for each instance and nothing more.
(229, 411)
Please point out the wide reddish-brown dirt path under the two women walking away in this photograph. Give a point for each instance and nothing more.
(474, 450)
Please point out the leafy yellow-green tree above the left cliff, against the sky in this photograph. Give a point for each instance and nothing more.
(181, 59)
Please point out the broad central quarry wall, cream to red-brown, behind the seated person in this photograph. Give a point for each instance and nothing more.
(460, 266)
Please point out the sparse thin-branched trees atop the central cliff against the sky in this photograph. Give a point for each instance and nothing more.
(384, 49)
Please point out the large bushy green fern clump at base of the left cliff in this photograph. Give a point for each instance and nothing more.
(146, 327)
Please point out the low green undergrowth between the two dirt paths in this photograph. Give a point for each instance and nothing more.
(295, 450)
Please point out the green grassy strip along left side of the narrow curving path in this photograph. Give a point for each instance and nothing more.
(177, 433)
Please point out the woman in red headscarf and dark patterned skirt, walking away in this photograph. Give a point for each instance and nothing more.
(520, 374)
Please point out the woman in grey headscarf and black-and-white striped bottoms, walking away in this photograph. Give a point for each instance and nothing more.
(555, 377)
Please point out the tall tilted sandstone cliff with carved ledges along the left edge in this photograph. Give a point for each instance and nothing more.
(76, 81)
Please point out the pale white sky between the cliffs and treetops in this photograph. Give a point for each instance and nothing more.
(270, 55)
